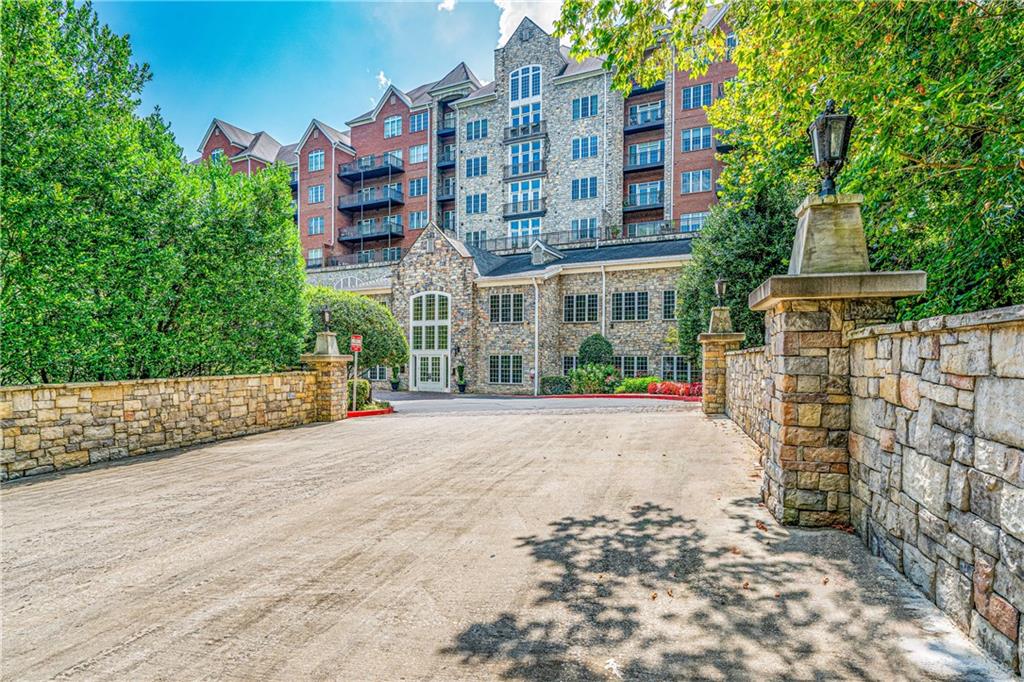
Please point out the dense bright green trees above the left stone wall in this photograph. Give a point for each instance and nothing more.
(117, 262)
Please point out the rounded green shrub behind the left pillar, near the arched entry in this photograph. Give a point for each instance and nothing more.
(383, 340)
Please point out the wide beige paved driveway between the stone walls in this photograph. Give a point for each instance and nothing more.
(554, 543)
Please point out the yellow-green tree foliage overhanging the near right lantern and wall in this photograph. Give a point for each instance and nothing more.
(938, 89)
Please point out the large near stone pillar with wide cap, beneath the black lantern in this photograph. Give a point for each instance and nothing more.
(809, 313)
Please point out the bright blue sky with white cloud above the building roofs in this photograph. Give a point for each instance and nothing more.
(274, 66)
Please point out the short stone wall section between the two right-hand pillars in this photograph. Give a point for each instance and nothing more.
(748, 396)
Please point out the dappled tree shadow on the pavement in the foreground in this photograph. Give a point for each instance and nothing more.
(649, 598)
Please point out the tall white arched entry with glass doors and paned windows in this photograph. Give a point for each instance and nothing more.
(430, 340)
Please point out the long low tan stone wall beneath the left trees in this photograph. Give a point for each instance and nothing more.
(59, 427)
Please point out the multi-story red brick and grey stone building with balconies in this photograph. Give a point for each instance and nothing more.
(505, 223)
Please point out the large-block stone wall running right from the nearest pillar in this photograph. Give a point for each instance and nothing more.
(937, 463)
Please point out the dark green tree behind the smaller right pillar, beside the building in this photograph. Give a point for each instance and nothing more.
(745, 243)
